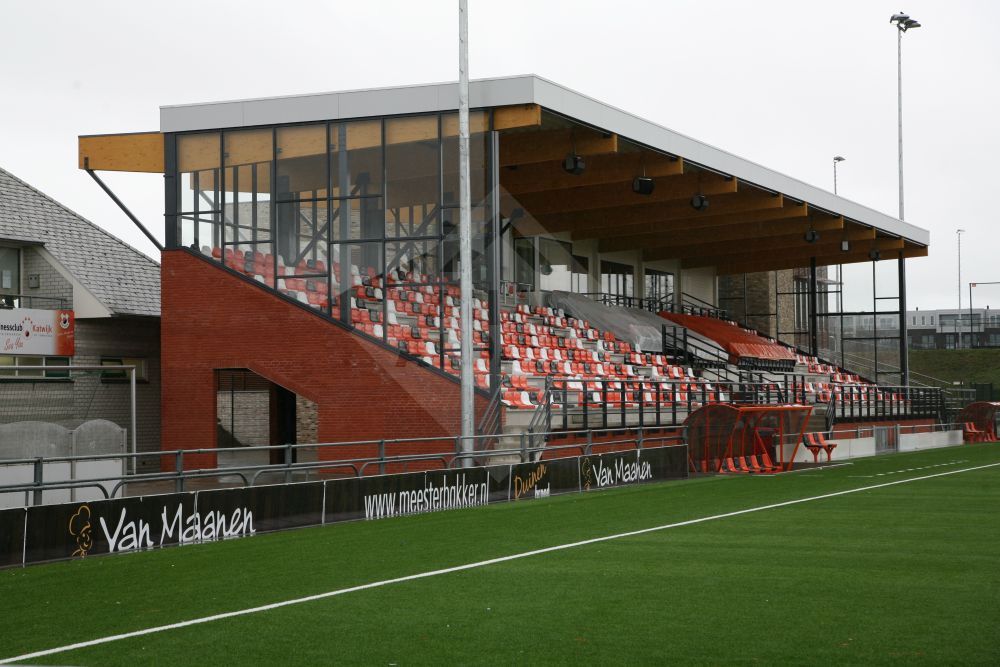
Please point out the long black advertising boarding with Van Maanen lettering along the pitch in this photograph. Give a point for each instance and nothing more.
(121, 525)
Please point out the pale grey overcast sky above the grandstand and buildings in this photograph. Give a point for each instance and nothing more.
(786, 84)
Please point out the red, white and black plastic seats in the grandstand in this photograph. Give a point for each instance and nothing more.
(424, 319)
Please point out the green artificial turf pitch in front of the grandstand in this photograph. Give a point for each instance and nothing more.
(895, 574)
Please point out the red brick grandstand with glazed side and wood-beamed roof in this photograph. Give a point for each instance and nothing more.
(312, 241)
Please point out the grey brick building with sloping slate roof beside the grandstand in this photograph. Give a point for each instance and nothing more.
(52, 259)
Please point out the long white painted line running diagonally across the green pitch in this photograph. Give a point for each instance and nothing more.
(467, 566)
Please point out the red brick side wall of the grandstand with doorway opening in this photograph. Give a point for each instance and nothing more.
(212, 319)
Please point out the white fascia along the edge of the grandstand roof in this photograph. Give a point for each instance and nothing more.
(524, 89)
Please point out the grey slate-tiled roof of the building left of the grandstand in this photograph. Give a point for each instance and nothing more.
(120, 278)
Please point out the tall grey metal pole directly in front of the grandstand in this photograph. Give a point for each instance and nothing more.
(465, 234)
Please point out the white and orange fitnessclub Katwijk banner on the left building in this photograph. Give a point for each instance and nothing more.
(37, 332)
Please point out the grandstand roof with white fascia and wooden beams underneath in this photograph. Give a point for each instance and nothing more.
(754, 209)
